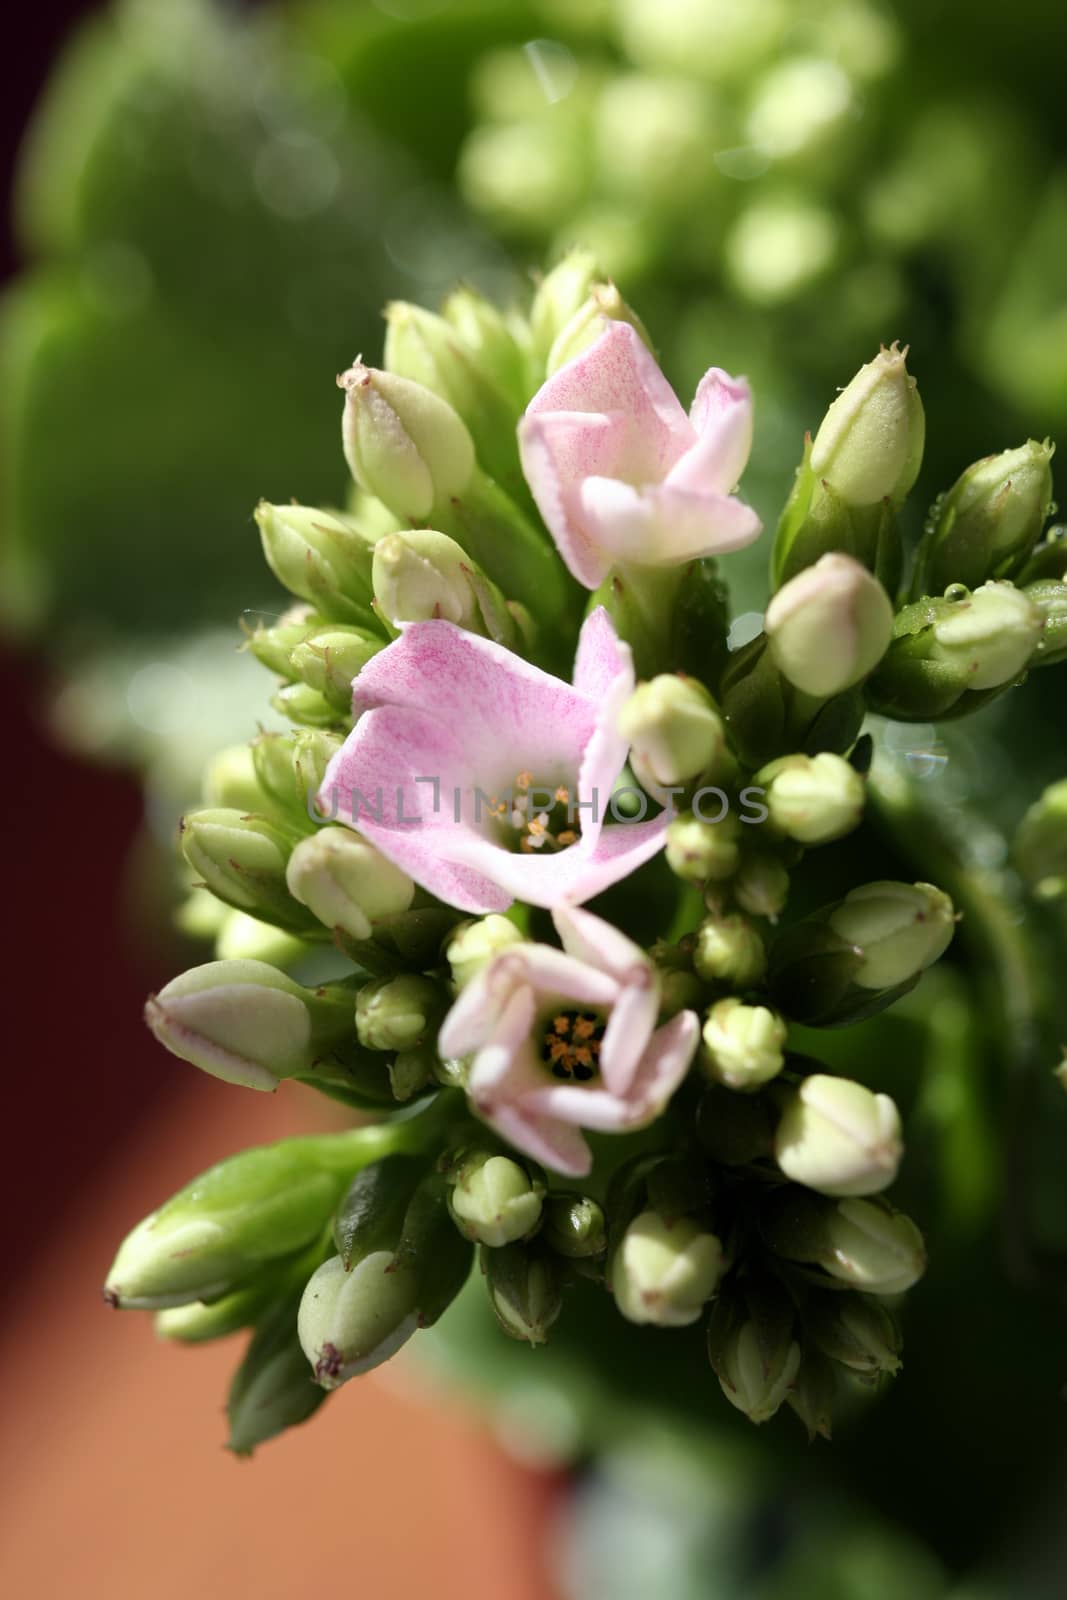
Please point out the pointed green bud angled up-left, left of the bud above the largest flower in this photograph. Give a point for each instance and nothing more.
(321, 558)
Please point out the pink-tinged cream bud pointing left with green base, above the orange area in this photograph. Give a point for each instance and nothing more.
(247, 1023)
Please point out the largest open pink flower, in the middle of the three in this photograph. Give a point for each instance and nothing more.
(486, 778)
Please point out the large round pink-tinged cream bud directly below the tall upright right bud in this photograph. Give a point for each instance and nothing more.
(829, 626)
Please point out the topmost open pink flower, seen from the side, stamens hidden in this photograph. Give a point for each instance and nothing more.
(623, 476)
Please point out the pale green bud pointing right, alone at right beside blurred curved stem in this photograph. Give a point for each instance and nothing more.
(900, 930)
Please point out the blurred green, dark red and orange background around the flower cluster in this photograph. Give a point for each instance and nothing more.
(209, 207)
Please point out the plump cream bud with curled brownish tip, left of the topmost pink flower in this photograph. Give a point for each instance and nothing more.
(402, 442)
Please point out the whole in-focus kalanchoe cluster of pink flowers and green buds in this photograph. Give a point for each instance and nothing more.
(497, 722)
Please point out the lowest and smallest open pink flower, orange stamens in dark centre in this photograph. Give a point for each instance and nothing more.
(567, 1039)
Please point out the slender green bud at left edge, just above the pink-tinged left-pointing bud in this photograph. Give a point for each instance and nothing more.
(242, 862)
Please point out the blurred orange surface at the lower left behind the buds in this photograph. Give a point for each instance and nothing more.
(113, 1474)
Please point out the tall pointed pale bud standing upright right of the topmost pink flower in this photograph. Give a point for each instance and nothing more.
(869, 446)
